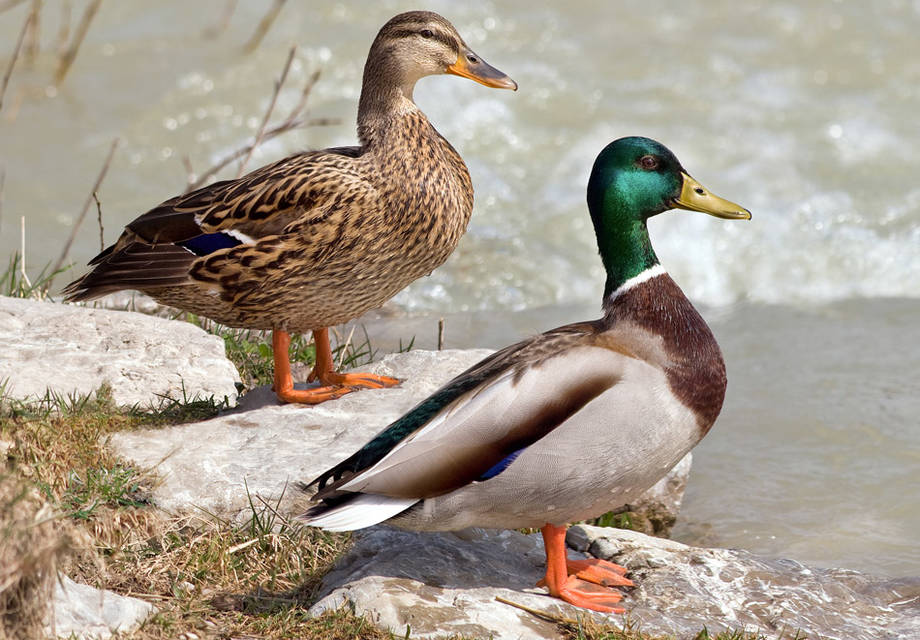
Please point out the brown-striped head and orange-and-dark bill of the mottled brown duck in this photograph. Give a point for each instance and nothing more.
(416, 44)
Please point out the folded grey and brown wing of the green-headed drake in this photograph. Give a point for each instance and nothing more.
(473, 427)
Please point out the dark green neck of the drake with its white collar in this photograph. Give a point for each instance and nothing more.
(622, 239)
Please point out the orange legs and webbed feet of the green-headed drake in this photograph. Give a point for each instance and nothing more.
(572, 588)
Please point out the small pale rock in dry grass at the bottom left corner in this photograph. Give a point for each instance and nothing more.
(81, 611)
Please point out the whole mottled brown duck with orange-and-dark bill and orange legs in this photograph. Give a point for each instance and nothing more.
(320, 237)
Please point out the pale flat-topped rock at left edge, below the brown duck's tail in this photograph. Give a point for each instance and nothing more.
(74, 349)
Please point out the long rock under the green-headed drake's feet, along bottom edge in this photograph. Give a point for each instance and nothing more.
(439, 584)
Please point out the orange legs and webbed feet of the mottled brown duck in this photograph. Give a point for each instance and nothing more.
(334, 384)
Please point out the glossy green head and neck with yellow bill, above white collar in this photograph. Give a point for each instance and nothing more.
(632, 180)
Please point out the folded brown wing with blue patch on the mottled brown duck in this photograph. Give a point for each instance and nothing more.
(159, 247)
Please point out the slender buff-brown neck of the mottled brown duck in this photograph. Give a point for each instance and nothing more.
(386, 93)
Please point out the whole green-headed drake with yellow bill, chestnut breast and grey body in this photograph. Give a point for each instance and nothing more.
(570, 423)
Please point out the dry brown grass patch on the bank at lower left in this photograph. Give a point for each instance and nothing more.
(209, 577)
